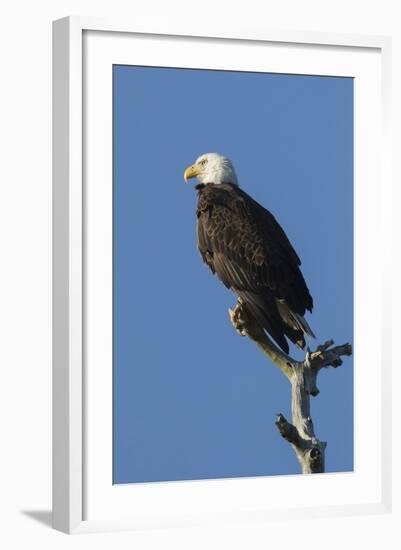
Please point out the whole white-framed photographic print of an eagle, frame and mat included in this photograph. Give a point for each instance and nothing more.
(217, 198)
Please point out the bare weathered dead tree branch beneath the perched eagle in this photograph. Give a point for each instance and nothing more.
(302, 375)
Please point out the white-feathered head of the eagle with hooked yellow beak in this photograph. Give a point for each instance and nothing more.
(212, 168)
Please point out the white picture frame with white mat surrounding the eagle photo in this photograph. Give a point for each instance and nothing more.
(83, 496)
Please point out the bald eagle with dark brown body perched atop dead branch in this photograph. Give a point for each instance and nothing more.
(243, 244)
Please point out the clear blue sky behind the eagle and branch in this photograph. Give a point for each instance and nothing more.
(192, 399)
